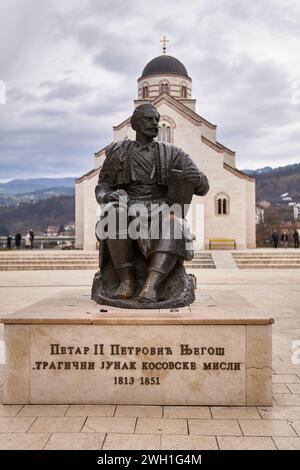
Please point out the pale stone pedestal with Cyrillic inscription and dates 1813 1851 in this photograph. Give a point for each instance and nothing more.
(67, 349)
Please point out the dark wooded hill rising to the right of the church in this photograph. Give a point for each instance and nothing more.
(272, 183)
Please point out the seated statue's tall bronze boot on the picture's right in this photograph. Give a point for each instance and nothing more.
(161, 265)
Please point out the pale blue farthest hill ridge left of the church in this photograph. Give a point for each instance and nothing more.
(22, 186)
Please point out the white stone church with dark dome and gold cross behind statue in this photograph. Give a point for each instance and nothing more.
(227, 212)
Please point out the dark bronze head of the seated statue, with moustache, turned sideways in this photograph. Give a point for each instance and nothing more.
(145, 120)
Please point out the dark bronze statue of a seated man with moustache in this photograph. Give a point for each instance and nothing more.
(141, 180)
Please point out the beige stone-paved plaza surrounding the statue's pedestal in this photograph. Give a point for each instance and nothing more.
(169, 427)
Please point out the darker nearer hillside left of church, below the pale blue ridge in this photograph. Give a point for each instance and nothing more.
(56, 211)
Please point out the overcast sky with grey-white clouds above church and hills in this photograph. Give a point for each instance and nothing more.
(70, 69)
